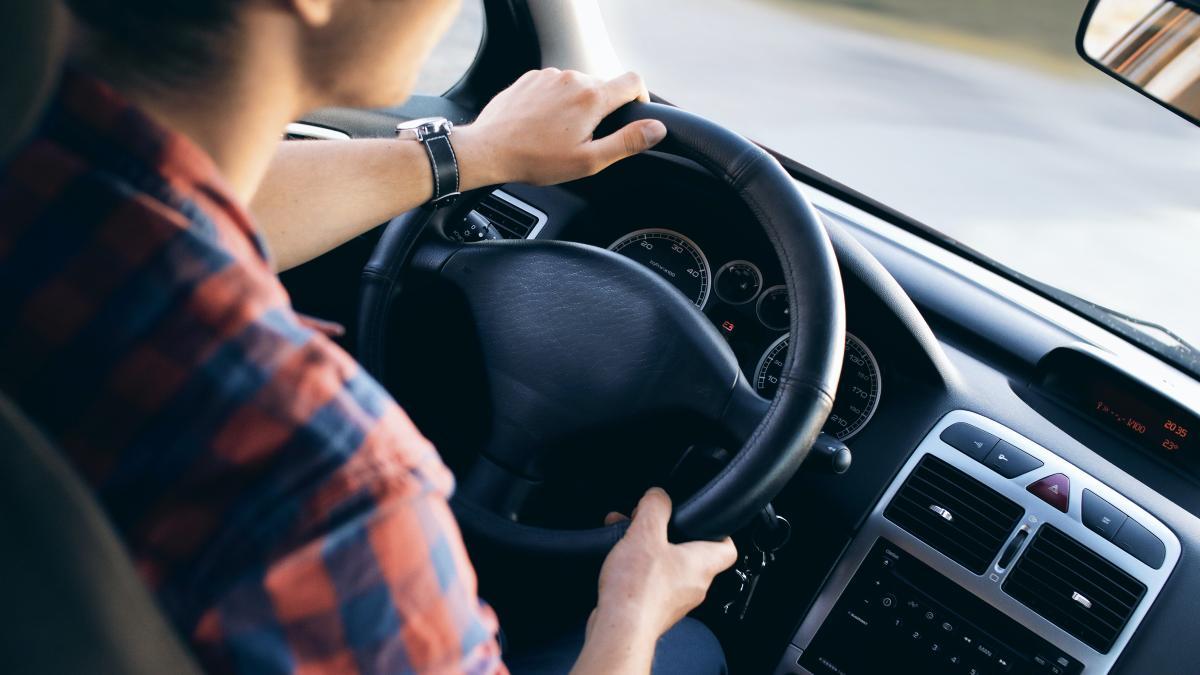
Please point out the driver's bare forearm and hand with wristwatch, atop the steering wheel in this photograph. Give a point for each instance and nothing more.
(317, 195)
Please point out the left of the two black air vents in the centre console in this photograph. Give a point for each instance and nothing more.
(955, 513)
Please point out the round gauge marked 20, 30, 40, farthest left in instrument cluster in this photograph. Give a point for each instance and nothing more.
(674, 258)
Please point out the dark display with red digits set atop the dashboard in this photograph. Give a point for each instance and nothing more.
(1129, 409)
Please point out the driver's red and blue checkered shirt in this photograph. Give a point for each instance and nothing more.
(284, 510)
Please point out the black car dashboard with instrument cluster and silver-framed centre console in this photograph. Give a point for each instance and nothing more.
(1087, 467)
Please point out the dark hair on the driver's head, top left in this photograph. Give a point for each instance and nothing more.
(165, 40)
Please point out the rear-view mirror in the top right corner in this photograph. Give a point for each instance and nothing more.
(1153, 46)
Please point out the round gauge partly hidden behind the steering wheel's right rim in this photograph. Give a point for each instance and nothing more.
(859, 389)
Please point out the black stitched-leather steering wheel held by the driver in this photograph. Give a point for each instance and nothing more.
(575, 338)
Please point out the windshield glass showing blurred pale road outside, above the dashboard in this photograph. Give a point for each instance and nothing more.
(976, 118)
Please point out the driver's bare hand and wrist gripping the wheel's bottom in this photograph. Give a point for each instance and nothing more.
(647, 586)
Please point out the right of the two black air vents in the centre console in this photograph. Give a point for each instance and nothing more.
(1076, 589)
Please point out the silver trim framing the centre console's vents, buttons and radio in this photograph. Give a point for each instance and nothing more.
(1036, 513)
